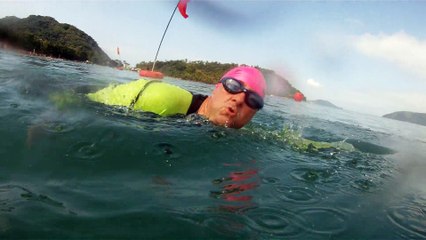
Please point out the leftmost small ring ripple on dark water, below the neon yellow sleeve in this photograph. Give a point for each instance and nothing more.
(85, 151)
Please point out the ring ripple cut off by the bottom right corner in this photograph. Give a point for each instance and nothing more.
(410, 218)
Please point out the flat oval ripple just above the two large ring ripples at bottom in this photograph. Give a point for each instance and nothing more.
(299, 195)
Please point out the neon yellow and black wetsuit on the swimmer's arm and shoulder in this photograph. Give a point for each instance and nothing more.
(150, 96)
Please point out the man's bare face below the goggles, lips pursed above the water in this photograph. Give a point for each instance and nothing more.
(228, 109)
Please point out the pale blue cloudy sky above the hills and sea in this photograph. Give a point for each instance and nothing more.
(363, 56)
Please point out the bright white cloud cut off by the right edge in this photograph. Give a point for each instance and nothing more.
(402, 49)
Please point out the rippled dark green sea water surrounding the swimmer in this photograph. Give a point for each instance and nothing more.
(72, 169)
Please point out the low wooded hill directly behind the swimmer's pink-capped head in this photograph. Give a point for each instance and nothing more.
(211, 72)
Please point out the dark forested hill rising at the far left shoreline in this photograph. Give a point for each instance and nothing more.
(45, 36)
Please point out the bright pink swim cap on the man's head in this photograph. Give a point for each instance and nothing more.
(252, 77)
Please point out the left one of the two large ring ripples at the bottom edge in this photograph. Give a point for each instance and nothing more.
(276, 222)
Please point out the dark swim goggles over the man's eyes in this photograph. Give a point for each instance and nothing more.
(233, 86)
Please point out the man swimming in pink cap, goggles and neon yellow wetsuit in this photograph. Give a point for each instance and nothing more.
(237, 97)
